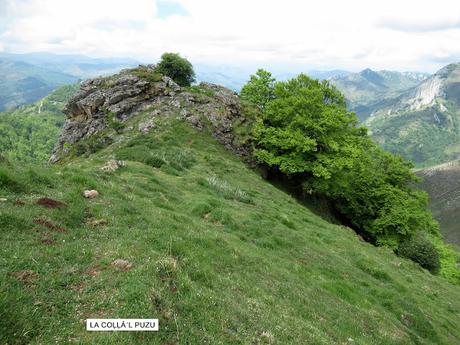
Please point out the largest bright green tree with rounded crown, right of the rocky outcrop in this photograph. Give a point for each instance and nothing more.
(306, 128)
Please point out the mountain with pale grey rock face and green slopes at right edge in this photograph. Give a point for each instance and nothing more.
(422, 123)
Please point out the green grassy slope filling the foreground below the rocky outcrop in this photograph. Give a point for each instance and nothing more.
(219, 255)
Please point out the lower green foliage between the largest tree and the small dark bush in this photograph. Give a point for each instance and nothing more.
(377, 197)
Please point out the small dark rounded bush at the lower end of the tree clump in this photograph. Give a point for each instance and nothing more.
(421, 250)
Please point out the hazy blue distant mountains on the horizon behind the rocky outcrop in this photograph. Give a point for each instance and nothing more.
(26, 78)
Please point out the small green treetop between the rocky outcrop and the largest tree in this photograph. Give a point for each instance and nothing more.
(259, 90)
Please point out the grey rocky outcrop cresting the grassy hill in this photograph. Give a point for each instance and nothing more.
(103, 101)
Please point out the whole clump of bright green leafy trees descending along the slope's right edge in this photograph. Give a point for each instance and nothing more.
(306, 132)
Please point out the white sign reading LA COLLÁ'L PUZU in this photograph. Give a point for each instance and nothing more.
(122, 324)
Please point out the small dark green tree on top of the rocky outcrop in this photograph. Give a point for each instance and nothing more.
(177, 68)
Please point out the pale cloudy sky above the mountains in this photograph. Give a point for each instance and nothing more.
(404, 35)
